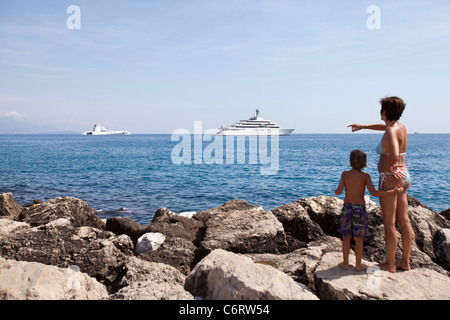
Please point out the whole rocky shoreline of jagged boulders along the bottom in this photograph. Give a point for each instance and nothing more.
(62, 250)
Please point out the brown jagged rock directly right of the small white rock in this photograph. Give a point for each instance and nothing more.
(176, 252)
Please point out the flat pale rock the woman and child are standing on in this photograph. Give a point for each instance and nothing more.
(332, 282)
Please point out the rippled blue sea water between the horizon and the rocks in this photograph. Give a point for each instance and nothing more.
(134, 175)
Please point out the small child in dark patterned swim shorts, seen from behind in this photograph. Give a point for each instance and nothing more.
(354, 220)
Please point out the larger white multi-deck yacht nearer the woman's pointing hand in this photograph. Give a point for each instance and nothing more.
(253, 126)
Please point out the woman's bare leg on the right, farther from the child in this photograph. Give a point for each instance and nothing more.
(405, 229)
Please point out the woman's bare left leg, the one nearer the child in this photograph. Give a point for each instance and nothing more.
(388, 206)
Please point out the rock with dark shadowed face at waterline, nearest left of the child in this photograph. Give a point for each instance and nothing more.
(297, 224)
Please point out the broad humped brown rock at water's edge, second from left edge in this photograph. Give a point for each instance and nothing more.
(73, 209)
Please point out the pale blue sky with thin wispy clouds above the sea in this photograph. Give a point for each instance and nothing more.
(157, 66)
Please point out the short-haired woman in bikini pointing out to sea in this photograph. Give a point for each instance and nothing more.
(392, 169)
